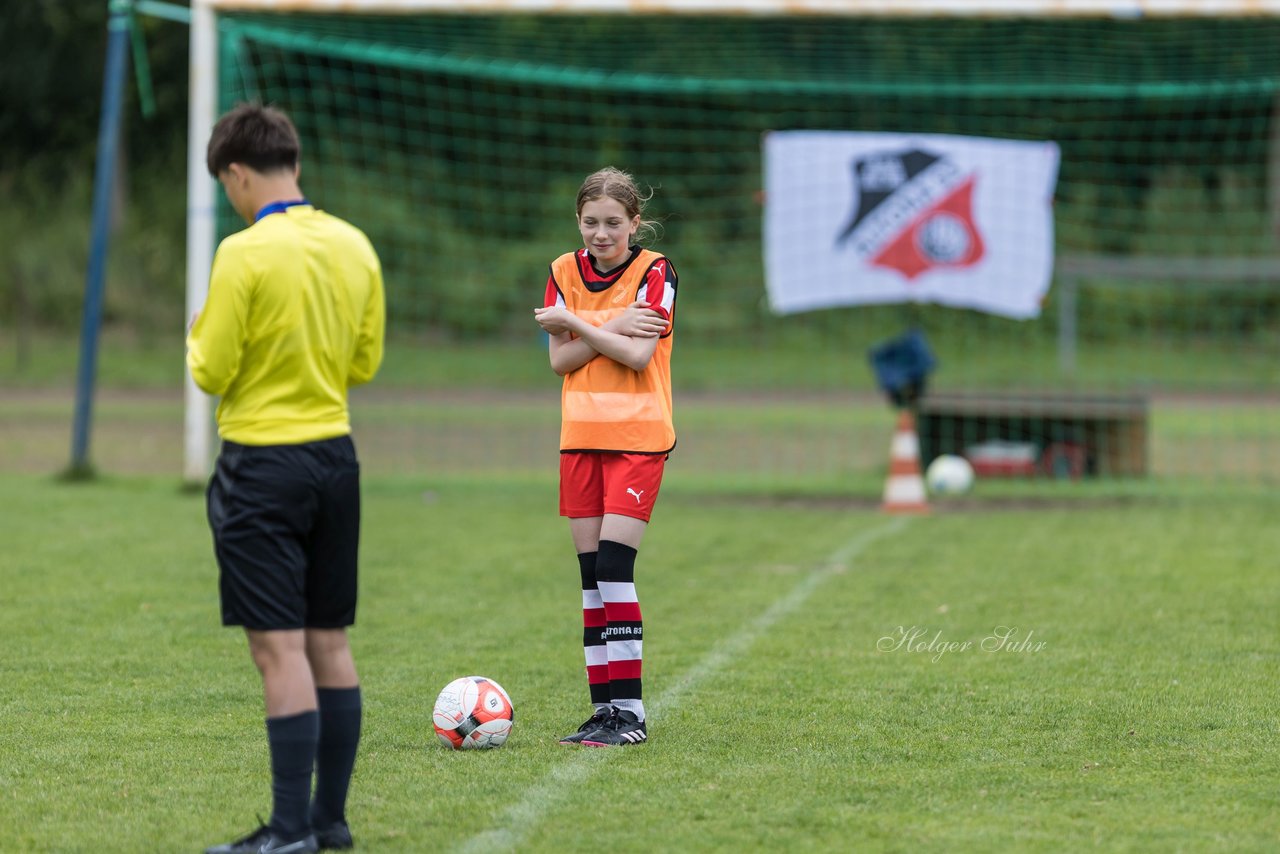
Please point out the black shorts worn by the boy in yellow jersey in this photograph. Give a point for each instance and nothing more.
(286, 523)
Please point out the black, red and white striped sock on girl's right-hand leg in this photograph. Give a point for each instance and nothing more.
(615, 577)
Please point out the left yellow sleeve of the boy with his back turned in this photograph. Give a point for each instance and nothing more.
(216, 340)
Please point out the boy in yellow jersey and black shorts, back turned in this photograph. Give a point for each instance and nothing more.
(295, 317)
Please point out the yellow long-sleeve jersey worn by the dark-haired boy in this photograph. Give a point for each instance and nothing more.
(295, 317)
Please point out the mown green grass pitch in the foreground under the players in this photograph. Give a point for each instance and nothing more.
(1132, 709)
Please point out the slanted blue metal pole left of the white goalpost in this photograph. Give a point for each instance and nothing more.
(108, 145)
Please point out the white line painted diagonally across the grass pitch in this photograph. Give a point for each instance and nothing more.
(523, 816)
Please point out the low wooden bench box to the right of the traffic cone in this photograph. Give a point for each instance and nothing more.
(1075, 435)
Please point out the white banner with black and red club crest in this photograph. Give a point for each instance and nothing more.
(871, 218)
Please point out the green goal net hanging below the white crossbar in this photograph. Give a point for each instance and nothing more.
(458, 143)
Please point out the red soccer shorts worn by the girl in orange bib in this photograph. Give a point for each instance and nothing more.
(595, 485)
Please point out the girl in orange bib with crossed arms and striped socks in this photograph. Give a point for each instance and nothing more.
(610, 312)
